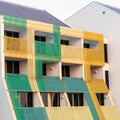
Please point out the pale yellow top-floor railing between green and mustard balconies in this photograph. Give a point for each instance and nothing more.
(72, 54)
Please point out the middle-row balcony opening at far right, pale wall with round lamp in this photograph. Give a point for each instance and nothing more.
(96, 72)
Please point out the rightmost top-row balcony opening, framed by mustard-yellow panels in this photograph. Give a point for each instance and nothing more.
(91, 44)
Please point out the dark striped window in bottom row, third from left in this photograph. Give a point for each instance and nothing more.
(76, 99)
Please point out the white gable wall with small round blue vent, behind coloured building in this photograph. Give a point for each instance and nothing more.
(91, 18)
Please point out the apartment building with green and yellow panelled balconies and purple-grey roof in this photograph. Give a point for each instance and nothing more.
(50, 71)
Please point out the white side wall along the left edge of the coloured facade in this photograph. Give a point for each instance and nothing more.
(5, 111)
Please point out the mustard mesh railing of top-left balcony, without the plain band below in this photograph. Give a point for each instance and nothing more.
(15, 45)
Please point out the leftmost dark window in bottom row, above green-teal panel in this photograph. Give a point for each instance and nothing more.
(26, 99)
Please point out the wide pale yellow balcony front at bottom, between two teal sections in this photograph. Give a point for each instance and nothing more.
(69, 113)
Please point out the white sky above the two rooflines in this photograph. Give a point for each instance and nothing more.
(61, 8)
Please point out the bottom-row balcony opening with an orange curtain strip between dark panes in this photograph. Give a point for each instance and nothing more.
(51, 99)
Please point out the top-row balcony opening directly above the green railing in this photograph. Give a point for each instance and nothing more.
(43, 37)
